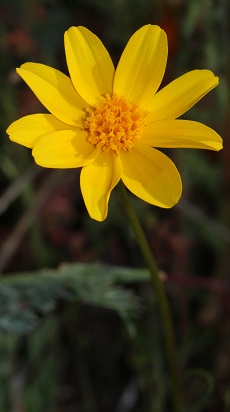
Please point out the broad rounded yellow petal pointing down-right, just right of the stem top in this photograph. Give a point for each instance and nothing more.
(151, 175)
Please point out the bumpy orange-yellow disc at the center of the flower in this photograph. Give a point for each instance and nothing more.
(114, 124)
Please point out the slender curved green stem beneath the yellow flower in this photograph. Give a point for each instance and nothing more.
(167, 323)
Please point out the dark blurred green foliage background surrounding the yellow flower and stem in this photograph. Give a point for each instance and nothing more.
(87, 337)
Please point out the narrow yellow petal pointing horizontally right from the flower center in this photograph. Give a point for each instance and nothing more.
(181, 133)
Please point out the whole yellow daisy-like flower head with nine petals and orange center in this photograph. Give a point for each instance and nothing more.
(110, 122)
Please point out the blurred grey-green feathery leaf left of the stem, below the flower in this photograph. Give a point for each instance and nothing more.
(26, 297)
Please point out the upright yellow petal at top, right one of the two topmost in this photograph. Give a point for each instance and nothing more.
(142, 65)
